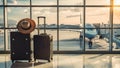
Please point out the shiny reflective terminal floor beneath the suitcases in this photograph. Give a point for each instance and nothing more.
(66, 61)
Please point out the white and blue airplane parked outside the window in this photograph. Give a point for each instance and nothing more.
(90, 31)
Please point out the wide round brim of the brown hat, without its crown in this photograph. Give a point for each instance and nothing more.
(30, 29)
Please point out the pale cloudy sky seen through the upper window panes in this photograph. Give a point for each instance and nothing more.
(93, 15)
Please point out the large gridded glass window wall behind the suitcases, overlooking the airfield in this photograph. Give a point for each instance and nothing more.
(76, 25)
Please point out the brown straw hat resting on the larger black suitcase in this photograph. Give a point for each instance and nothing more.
(26, 26)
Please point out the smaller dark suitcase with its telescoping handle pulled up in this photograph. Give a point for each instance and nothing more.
(43, 45)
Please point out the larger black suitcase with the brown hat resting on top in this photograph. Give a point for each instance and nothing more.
(20, 46)
